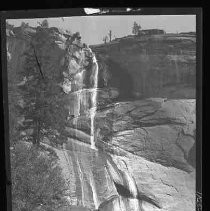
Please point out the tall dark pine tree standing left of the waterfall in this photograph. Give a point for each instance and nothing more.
(44, 102)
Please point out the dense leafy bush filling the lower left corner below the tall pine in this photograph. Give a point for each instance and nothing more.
(37, 182)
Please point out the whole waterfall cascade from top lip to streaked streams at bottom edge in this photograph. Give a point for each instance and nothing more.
(84, 155)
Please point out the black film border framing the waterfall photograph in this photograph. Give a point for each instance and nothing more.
(47, 13)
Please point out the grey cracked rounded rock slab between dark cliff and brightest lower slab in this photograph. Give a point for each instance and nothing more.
(161, 131)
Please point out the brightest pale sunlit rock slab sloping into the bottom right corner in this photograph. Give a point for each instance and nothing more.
(173, 188)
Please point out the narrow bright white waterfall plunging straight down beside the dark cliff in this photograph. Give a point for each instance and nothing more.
(94, 101)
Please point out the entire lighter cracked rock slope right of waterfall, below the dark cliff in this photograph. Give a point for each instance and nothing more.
(158, 134)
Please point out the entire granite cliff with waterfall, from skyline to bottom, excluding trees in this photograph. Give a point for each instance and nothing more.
(124, 152)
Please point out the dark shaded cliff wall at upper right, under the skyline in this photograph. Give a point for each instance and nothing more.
(153, 66)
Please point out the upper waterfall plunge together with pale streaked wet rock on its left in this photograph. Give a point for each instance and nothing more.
(81, 95)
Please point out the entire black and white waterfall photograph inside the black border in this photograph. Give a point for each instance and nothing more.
(102, 112)
